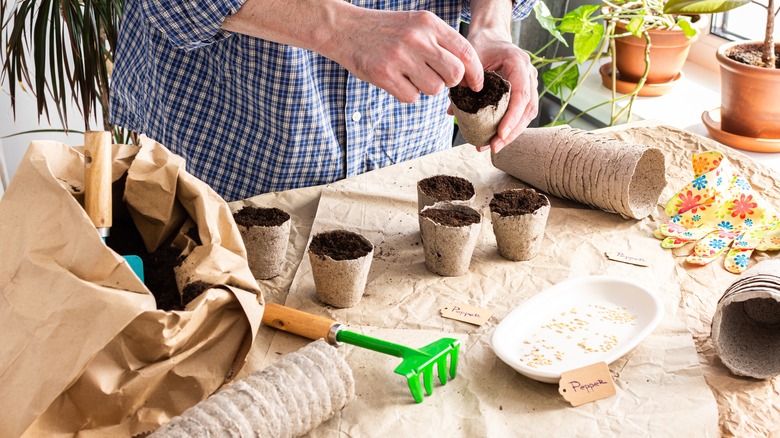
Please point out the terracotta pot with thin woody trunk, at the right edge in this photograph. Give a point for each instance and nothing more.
(749, 96)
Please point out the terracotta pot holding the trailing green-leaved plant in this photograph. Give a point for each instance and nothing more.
(668, 52)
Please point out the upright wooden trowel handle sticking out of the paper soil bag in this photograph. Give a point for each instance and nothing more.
(97, 178)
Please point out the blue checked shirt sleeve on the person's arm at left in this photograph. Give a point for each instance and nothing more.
(190, 24)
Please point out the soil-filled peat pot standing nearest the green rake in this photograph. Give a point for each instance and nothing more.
(340, 261)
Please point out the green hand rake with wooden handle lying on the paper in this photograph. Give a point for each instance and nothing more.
(415, 363)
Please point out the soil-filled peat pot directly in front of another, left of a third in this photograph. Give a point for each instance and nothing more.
(449, 233)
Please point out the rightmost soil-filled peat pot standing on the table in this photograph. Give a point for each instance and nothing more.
(519, 218)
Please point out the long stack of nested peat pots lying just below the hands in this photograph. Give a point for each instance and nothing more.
(609, 174)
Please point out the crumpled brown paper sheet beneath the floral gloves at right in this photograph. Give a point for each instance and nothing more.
(747, 407)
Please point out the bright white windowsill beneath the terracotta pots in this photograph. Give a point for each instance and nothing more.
(698, 90)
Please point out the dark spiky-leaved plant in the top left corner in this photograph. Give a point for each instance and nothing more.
(71, 44)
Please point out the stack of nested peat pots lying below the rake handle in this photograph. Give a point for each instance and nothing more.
(287, 399)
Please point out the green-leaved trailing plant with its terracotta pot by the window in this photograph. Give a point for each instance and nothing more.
(597, 30)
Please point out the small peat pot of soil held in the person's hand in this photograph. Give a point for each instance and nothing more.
(479, 112)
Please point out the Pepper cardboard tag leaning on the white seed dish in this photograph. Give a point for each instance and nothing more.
(586, 384)
